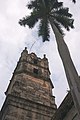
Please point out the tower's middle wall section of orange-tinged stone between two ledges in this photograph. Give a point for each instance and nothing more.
(31, 88)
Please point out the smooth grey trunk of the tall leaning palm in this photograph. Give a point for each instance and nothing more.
(70, 71)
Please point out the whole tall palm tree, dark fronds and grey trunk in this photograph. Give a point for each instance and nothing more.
(52, 12)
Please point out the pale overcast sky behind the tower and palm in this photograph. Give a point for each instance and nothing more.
(14, 38)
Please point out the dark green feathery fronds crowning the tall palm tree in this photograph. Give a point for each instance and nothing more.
(42, 11)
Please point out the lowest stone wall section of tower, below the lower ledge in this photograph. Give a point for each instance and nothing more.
(21, 109)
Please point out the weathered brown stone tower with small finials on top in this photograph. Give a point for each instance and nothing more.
(29, 94)
